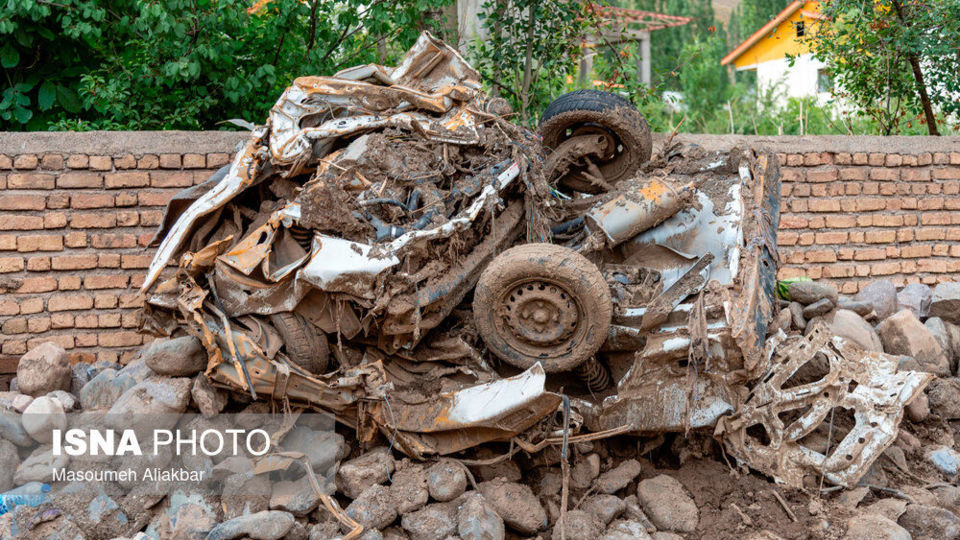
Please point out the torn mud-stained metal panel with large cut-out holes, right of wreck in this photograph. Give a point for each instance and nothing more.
(878, 401)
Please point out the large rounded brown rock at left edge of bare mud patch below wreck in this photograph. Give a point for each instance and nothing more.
(667, 504)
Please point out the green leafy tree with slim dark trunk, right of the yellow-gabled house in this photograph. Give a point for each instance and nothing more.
(896, 60)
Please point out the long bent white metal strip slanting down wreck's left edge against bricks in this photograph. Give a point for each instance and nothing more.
(239, 178)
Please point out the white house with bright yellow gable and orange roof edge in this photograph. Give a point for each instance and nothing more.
(766, 51)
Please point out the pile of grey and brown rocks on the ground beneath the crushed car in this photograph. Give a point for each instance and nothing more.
(664, 487)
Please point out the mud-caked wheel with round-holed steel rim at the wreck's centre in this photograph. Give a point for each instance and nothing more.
(542, 303)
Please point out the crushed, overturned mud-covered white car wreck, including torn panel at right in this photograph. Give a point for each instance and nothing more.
(333, 264)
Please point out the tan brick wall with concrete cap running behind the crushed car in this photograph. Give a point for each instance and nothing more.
(77, 209)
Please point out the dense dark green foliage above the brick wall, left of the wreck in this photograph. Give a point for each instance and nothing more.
(183, 64)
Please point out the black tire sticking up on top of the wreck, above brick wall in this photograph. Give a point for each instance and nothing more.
(594, 111)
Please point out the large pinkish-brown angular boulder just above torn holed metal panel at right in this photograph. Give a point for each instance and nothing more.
(902, 333)
